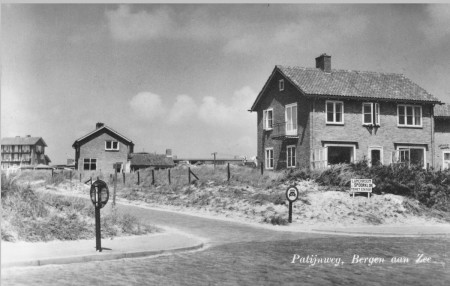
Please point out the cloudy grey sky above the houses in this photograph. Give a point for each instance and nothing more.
(183, 76)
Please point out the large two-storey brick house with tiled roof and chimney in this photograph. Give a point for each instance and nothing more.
(314, 117)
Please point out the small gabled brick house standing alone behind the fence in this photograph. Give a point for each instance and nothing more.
(102, 150)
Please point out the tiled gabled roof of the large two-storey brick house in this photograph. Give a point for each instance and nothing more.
(314, 82)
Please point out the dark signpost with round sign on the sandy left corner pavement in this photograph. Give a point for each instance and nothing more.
(99, 197)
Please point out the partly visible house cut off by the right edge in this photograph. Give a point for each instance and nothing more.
(442, 136)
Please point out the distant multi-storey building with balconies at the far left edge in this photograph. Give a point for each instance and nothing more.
(23, 151)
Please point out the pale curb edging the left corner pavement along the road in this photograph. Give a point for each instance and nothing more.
(98, 257)
